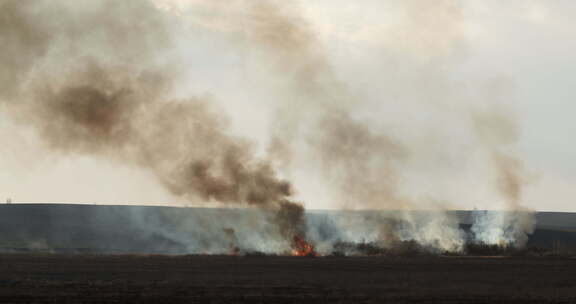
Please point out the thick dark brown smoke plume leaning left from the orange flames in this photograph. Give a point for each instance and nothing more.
(96, 79)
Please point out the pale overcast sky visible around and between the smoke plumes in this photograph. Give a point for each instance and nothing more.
(516, 54)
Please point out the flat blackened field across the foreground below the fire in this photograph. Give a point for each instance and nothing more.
(57, 278)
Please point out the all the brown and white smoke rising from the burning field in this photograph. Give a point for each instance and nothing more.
(99, 79)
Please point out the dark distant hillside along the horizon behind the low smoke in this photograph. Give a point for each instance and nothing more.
(146, 229)
